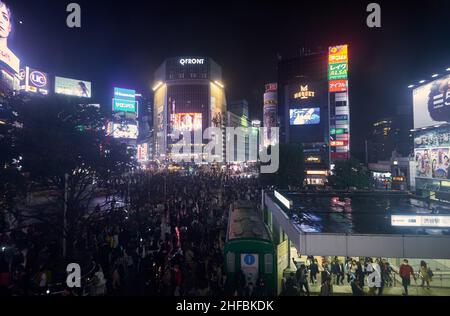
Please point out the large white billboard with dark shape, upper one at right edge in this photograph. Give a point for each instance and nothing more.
(432, 103)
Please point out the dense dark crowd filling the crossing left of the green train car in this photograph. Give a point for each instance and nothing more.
(170, 243)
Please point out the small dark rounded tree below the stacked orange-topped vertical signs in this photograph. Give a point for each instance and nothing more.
(349, 173)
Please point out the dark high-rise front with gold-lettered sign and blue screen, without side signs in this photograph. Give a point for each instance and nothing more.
(304, 112)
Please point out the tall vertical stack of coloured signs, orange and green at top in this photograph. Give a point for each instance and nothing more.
(339, 103)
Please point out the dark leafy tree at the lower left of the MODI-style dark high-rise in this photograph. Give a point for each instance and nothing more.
(291, 171)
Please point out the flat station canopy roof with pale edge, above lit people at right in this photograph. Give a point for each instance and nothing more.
(319, 225)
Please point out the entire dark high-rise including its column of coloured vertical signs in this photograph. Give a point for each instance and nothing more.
(314, 108)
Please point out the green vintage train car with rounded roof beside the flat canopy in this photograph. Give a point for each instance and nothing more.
(248, 249)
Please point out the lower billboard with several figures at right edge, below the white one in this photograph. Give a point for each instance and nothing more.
(432, 163)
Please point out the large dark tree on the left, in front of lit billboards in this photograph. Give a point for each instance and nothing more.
(64, 149)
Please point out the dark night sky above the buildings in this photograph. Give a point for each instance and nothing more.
(122, 44)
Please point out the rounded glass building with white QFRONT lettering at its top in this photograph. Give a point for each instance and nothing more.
(188, 97)
